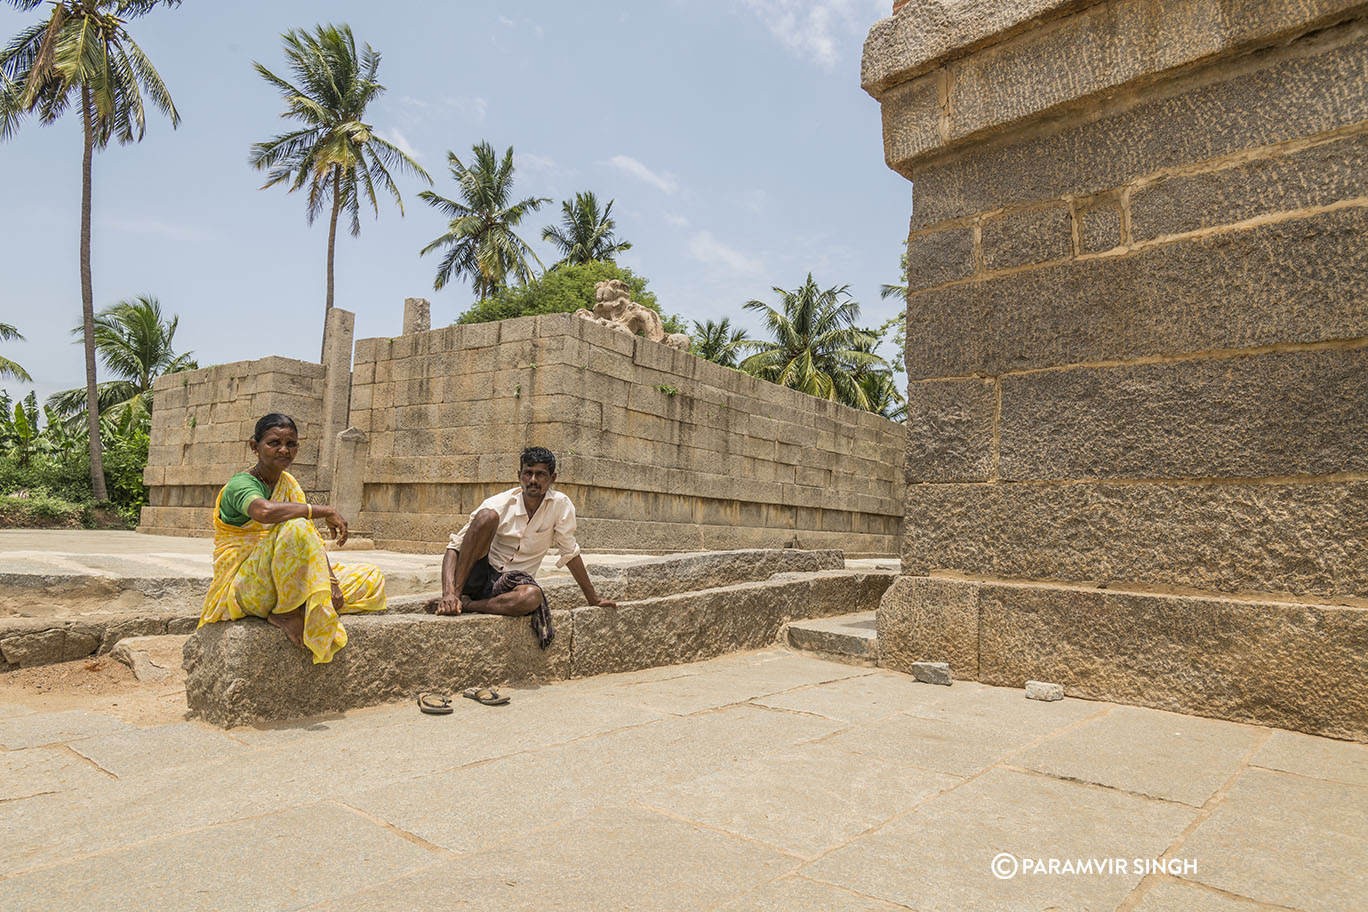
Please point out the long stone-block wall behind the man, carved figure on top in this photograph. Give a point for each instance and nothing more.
(659, 449)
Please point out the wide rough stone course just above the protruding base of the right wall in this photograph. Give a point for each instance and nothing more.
(1307, 539)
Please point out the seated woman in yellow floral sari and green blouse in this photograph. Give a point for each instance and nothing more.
(270, 560)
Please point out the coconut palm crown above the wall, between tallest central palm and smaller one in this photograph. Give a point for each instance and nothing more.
(479, 236)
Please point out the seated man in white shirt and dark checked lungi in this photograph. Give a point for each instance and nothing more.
(490, 563)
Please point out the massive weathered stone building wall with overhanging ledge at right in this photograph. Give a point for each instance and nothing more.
(1137, 351)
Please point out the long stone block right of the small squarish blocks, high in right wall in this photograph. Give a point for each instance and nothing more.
(1314, 177)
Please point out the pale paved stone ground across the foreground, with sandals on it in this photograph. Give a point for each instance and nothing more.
(759, 781)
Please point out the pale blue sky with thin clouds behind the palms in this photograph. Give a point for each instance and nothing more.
(733, 135)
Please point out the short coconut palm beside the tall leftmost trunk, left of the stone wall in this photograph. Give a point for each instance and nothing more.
(136, 345)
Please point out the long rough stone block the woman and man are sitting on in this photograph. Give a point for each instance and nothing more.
(247, 672)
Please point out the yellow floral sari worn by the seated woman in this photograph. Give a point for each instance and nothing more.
(263, 569)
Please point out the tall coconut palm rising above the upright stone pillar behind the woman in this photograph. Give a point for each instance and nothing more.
(336, 155)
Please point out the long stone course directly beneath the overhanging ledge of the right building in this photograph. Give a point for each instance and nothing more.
(1281, 96)
